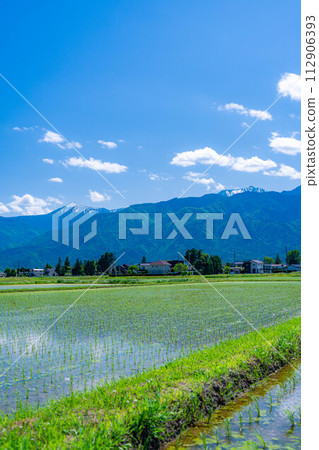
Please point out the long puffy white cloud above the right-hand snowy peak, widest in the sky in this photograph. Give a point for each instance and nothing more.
(208, 156)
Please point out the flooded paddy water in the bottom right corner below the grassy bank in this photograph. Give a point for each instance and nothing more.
(267, 417)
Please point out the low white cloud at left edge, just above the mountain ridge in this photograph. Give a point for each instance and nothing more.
(27, 205)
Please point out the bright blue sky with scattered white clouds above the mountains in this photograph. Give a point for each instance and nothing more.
(151, 94)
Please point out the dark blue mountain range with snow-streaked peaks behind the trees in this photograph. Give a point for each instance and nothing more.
(273, 220)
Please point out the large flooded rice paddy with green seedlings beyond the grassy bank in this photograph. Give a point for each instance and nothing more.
(117, 332)
